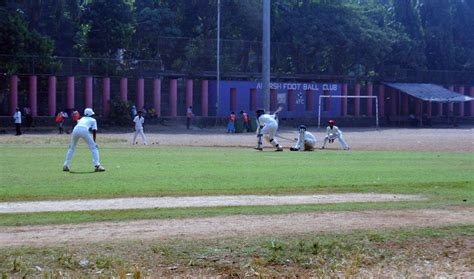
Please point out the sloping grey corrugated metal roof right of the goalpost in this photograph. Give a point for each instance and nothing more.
(430, 92)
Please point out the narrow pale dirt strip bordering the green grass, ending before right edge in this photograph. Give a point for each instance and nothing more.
(198, 201)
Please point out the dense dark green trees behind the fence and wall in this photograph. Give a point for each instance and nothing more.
(335, 37)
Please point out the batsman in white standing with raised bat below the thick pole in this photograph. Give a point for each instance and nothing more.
(267, 127)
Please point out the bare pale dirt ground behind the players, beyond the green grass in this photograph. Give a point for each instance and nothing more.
(403, 139)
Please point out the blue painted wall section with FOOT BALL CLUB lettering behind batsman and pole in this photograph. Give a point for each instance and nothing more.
(292, 96)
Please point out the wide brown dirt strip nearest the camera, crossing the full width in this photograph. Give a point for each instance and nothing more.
(232, 226)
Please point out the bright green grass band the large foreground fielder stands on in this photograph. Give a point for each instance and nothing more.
(29, 173)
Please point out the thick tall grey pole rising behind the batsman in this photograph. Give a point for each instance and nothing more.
(266, 55)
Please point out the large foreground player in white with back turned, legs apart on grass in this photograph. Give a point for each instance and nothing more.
(81, 130)
